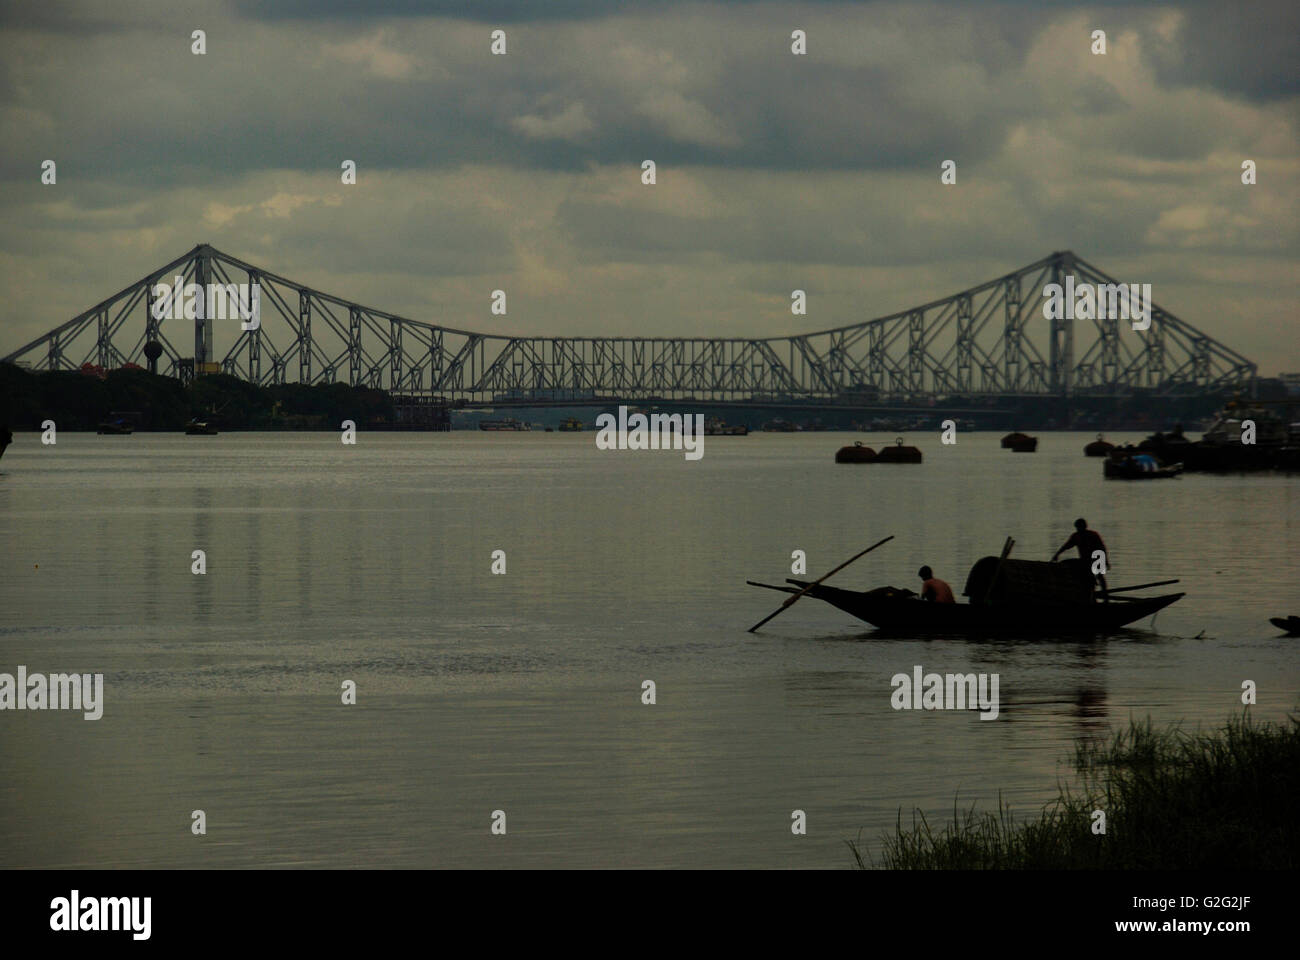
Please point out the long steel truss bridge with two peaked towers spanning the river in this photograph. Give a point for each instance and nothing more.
(991, 340)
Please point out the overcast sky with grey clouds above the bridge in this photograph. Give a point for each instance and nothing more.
(775, 172)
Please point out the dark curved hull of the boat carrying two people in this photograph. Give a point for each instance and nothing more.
(891, 611)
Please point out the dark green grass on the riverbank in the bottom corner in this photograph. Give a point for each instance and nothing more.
(1221, 799)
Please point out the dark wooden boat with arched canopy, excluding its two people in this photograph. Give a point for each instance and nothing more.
(1007, 596)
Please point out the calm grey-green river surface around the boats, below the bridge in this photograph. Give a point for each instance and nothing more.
(479, 693)
